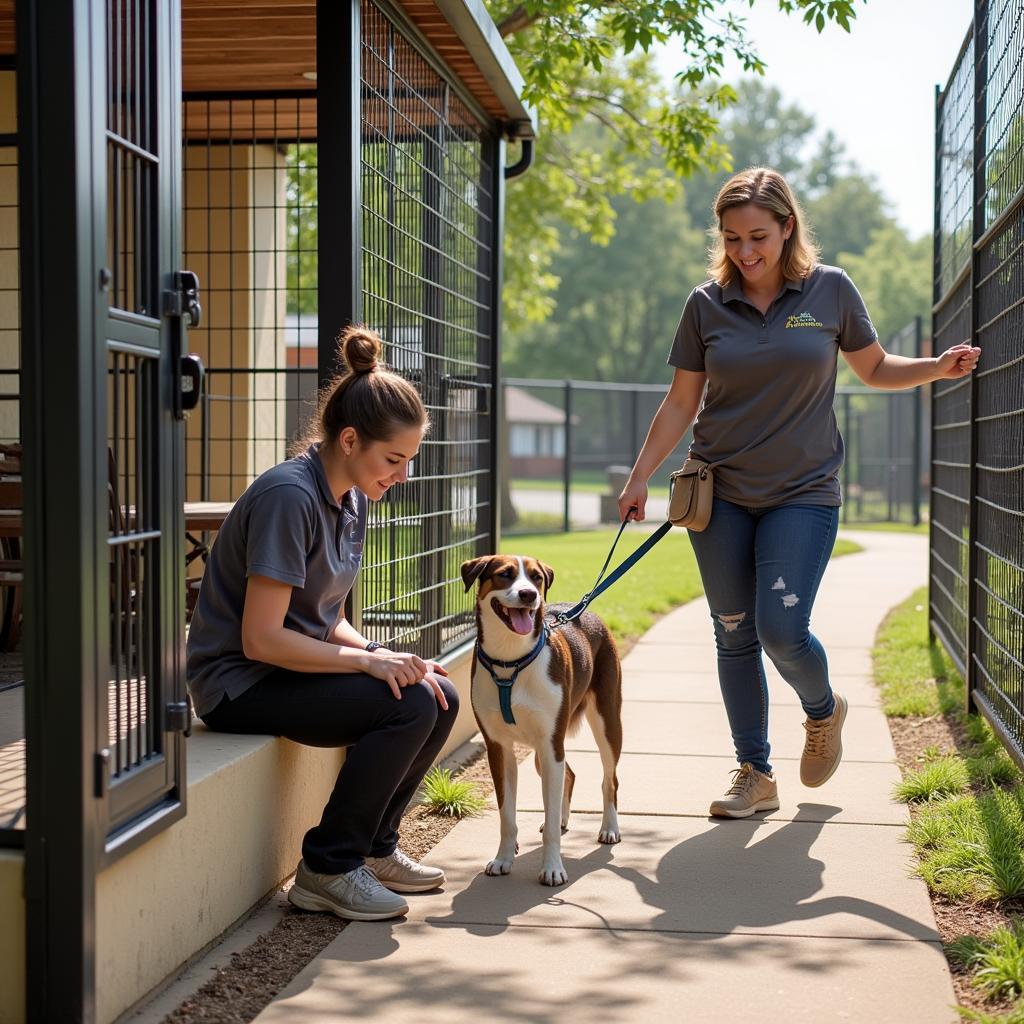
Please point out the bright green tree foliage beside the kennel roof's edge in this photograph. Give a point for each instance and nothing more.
(590, 66)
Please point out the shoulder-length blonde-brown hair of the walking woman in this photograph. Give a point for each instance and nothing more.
(769, 190)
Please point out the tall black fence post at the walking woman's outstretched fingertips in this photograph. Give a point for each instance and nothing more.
(977, 230)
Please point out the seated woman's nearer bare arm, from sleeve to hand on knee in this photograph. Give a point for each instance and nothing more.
(266, 638)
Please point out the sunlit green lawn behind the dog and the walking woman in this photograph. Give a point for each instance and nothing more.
(666, 578)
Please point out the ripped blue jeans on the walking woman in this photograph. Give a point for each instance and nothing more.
(761, 570)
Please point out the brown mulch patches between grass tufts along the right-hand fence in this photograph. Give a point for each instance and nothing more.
(912, 737)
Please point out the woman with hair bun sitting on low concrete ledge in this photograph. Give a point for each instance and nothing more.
(271, 652)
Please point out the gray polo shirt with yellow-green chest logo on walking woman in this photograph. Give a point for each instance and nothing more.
(772, 383)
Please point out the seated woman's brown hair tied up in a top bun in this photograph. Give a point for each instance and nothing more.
(374, 401)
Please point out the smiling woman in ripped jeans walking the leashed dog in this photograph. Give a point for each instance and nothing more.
(764, 336)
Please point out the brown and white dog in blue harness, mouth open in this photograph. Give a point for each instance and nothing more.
(576, 673)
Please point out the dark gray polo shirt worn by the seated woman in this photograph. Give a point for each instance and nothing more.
(288, 527)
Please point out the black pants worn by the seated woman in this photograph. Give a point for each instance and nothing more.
(392, 746)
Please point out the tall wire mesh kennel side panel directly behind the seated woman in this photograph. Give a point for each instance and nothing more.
(429, 235)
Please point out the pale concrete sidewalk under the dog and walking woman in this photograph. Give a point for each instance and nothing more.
(808, 914)
